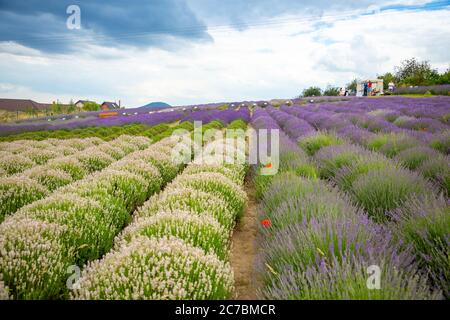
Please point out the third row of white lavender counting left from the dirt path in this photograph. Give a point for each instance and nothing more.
(41, 180)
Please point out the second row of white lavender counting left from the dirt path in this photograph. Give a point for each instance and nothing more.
(46, 241)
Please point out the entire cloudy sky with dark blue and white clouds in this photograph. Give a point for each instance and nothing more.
(199, 51)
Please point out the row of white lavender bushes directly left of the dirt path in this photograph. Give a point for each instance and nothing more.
(178, 245)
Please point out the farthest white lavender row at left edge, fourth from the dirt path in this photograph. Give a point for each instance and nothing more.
(20, 155)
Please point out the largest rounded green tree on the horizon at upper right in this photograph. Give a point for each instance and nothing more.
(415, 73)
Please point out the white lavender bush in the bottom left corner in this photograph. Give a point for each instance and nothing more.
(33, 261)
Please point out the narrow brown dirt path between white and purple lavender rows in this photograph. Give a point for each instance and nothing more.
(244, 249)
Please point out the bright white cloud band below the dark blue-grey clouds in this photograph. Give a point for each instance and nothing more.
(258, 63)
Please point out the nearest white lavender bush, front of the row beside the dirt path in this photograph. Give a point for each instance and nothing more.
(149, 268)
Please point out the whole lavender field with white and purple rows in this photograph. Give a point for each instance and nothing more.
(357, 208)
